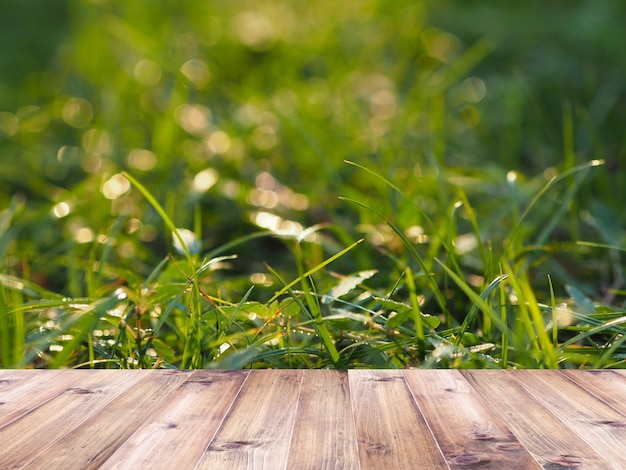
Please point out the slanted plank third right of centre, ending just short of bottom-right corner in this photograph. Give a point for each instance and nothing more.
(548, 439)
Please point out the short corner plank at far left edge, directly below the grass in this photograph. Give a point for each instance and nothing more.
(22, 391)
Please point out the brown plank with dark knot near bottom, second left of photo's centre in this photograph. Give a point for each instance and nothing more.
(257, 432)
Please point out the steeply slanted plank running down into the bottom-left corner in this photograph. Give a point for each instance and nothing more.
(31, 435)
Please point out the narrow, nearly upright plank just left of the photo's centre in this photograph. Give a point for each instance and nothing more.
(324, 435)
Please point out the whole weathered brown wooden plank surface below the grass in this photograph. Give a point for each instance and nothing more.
(274, 419)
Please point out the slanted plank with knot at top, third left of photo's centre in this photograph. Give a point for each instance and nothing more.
(177, 435)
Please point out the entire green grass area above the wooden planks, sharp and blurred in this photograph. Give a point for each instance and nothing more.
(477, 147)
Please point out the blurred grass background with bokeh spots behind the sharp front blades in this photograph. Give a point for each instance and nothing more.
(238, 116)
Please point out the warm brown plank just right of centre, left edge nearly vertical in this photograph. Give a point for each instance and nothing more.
(391, 432)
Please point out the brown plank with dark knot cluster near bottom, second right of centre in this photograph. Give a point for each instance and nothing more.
(467, 431)
